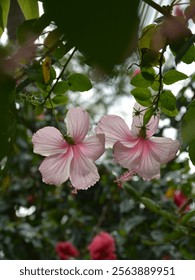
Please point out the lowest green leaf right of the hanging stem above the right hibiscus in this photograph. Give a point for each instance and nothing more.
(168, 103)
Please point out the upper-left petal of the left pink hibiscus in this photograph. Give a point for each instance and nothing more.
(49, 141)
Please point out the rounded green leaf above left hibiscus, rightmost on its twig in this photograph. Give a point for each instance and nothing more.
(79, 82)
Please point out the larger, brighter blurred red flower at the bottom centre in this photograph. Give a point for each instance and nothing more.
(102, 247)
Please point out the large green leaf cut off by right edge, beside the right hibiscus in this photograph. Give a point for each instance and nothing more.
(187, 125)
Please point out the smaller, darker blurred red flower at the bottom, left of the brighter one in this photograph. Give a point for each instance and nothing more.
(66, 250)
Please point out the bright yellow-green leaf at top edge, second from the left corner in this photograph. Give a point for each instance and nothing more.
(29, 8)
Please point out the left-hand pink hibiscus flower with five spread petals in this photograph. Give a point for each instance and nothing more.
(69, 157)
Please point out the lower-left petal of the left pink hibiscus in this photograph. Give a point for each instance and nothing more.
(55, 169)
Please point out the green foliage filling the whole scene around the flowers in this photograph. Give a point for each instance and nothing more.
(46, 72)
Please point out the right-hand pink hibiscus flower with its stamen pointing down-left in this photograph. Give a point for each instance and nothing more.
(136, 149)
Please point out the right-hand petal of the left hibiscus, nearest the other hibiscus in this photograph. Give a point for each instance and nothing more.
(93, 146)
